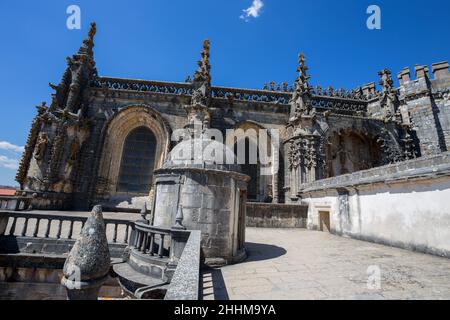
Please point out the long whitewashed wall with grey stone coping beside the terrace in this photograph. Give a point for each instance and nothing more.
(403, 205)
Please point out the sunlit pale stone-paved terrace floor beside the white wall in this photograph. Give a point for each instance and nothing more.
(291, 264)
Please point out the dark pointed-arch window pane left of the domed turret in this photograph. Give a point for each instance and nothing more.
(138, 162)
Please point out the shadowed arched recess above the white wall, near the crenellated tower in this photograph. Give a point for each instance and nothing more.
(349, 152)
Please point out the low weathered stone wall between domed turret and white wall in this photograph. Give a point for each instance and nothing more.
(265, 215)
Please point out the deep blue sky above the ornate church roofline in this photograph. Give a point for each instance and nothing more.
(161, 40)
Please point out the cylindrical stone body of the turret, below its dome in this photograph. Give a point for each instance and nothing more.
(211, 202)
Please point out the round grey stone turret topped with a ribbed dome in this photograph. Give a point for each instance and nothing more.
(201, 177)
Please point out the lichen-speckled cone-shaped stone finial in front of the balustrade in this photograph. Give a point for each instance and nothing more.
(87, 266)
